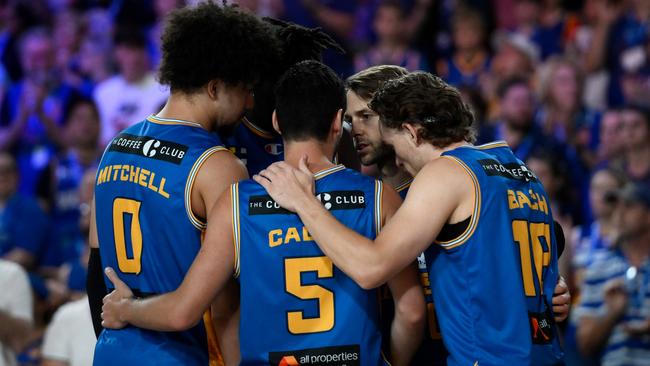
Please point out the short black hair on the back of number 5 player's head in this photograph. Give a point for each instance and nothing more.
(308, 96)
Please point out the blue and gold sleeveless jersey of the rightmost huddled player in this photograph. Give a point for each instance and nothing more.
(493, 284)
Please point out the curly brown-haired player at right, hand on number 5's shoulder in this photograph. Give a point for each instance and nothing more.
(493, 266)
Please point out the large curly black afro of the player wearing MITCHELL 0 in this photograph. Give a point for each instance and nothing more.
(208, 41)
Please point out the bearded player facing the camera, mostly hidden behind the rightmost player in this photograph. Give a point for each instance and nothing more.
(373, 152)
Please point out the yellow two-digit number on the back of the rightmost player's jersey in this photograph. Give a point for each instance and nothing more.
(529, 238)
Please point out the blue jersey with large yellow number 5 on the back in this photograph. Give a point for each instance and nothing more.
(297, 307)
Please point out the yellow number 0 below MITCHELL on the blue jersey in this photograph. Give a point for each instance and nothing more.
(121, 208)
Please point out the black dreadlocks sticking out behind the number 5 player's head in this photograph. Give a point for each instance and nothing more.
(297, 44)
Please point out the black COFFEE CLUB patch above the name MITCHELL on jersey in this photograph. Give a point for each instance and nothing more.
(149, 147)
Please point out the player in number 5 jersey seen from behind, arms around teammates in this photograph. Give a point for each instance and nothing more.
(295, 304)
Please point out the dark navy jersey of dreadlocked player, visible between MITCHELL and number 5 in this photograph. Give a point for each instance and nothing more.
(256, 148)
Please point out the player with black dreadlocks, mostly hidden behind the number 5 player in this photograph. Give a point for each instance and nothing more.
(255, 141)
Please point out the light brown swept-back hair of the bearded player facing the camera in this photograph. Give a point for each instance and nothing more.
(365, 83)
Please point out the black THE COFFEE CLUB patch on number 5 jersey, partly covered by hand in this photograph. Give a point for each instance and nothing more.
(334, 200)
